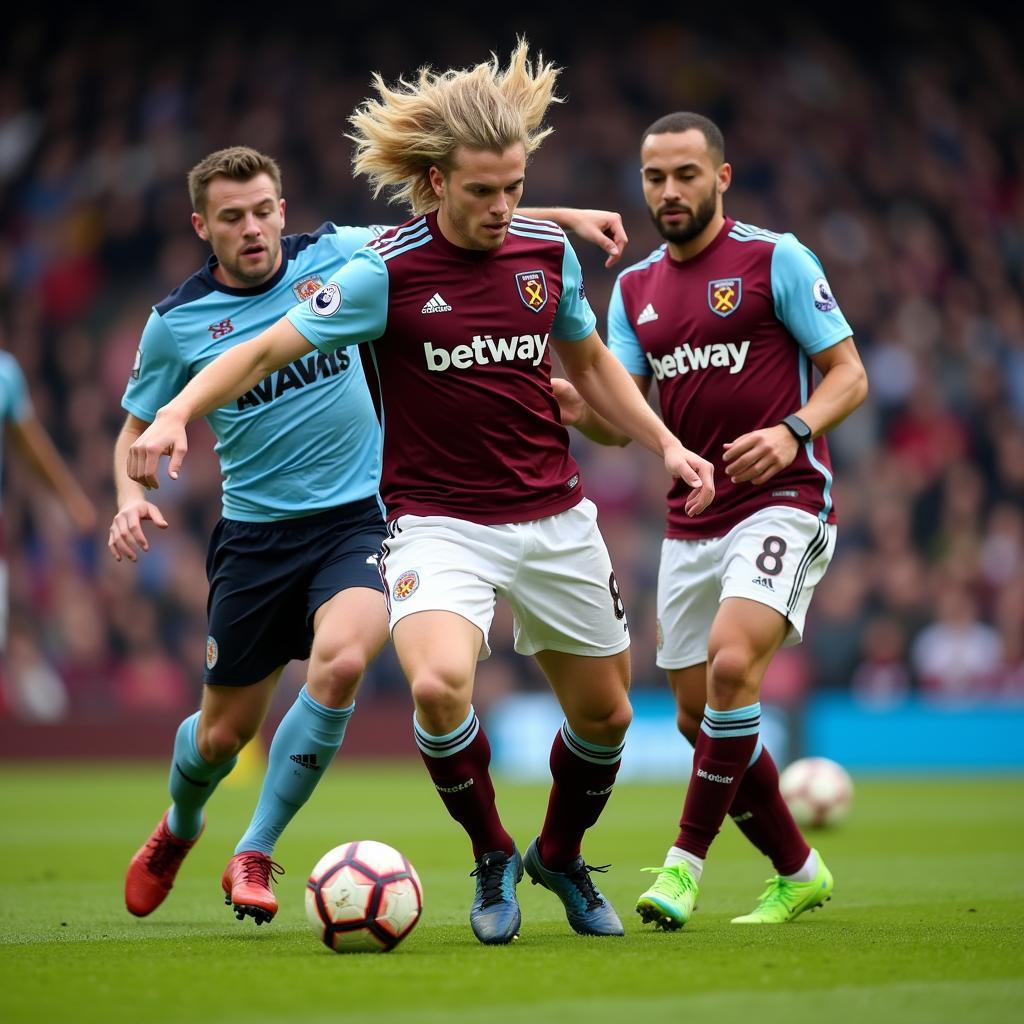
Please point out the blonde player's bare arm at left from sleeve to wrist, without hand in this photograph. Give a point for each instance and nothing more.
(236, 372)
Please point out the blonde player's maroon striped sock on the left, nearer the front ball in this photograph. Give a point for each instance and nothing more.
(459, 764)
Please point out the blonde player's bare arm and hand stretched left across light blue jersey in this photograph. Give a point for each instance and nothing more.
(231, 375)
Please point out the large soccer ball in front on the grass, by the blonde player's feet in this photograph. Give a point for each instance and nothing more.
(364, 898)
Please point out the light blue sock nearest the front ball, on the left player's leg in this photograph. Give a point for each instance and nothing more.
(305, 745)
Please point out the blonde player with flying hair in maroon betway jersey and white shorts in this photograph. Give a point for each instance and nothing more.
(460, 308)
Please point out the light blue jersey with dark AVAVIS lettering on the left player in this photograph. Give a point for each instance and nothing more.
(305, 440)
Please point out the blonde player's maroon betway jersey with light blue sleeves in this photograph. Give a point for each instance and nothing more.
(460, 348)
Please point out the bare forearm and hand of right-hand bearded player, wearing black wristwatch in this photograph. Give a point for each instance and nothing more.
(758, 456)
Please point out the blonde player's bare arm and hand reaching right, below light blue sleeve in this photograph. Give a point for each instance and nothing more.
(606, 386)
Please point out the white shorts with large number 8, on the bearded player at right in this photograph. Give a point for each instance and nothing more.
(776, 558)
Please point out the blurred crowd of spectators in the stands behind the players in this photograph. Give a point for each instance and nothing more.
(892, 147)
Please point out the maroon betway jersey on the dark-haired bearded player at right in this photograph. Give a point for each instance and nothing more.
(729, 336)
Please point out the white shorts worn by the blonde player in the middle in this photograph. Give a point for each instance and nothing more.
(556, 573)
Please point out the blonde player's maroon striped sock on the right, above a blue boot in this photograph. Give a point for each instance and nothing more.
(583, 775)
